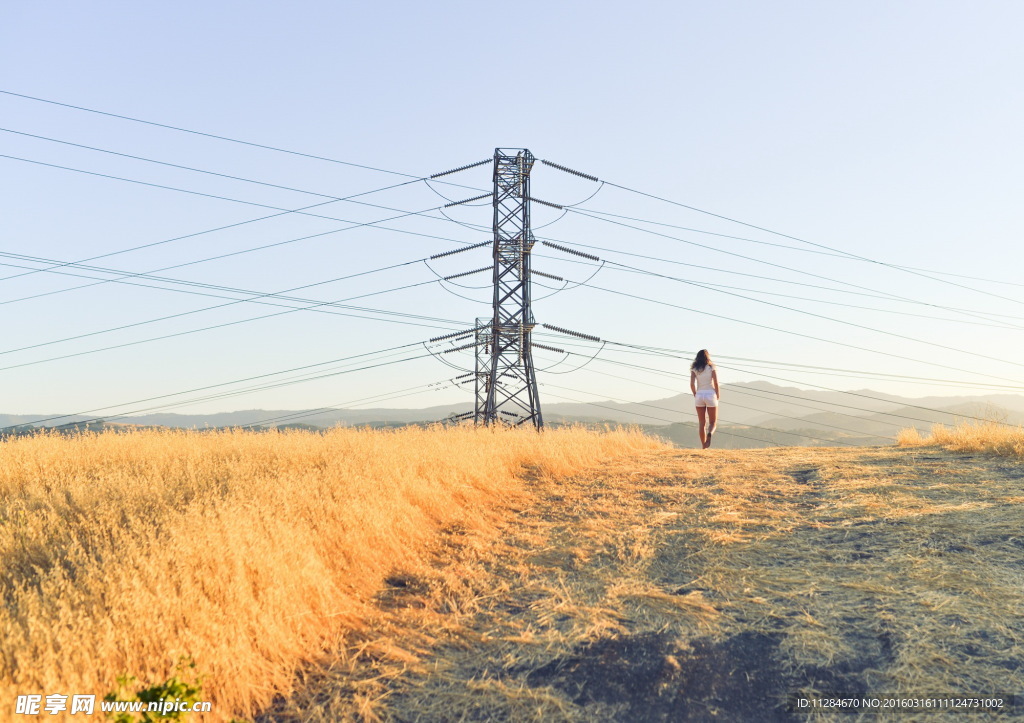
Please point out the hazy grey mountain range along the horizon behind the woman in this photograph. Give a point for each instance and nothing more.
(757, 413)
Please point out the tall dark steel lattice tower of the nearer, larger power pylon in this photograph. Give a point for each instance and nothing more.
(511, 389)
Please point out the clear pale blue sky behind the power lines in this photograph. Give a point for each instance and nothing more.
(886, 131)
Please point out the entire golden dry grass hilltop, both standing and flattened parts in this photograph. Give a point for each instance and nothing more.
(466, 575)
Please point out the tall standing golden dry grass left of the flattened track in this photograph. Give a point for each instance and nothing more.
(250, 552)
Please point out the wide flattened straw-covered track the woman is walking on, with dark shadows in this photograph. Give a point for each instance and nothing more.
(685, 586)
